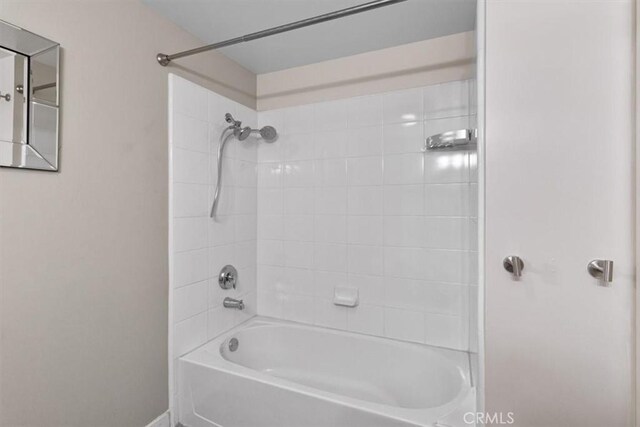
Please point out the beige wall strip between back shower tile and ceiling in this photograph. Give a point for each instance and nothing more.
(411, 65)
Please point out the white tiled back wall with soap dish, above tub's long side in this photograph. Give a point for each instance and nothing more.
(347, 197)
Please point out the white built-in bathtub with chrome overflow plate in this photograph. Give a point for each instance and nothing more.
(273, 373)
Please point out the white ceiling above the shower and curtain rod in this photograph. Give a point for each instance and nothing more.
(217, 20)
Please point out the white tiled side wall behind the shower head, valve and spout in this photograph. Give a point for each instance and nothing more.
(201, 246)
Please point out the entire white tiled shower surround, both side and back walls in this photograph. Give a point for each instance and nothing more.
(345, 197)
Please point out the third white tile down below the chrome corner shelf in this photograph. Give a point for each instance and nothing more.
(446, 233)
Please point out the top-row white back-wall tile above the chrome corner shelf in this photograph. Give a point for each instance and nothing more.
(446, 100)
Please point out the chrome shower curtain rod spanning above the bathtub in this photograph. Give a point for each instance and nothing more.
(164, 59)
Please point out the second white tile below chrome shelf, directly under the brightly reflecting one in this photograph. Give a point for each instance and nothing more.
(446, 199)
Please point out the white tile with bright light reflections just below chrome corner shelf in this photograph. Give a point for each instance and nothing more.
(446, 166)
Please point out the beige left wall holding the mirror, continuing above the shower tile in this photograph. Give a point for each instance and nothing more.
(83, 259)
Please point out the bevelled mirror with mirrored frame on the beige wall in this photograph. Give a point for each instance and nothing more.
(29, 99)
